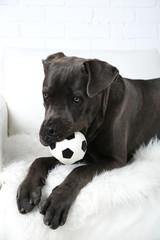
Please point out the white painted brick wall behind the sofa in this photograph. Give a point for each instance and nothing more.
(80, 24)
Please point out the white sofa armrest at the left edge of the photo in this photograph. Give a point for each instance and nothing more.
(3, 128)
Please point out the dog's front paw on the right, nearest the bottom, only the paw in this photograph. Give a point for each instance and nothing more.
(56, 207)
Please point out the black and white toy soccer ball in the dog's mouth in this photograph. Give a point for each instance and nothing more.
(71, 149)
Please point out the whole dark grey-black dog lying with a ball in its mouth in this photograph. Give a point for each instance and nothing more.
(116, 115)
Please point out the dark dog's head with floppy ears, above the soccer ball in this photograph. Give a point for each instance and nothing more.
(72, 93)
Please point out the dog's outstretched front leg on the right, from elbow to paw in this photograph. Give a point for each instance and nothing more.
(56, 207)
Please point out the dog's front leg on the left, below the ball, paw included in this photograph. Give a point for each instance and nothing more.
(29, 192)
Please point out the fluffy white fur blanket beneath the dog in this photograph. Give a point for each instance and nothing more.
(119, 204)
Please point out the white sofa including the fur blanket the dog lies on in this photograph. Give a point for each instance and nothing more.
(118, 204)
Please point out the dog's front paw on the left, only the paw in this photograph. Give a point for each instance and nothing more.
(28, 195)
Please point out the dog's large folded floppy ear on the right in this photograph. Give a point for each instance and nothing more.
(100, 76)
